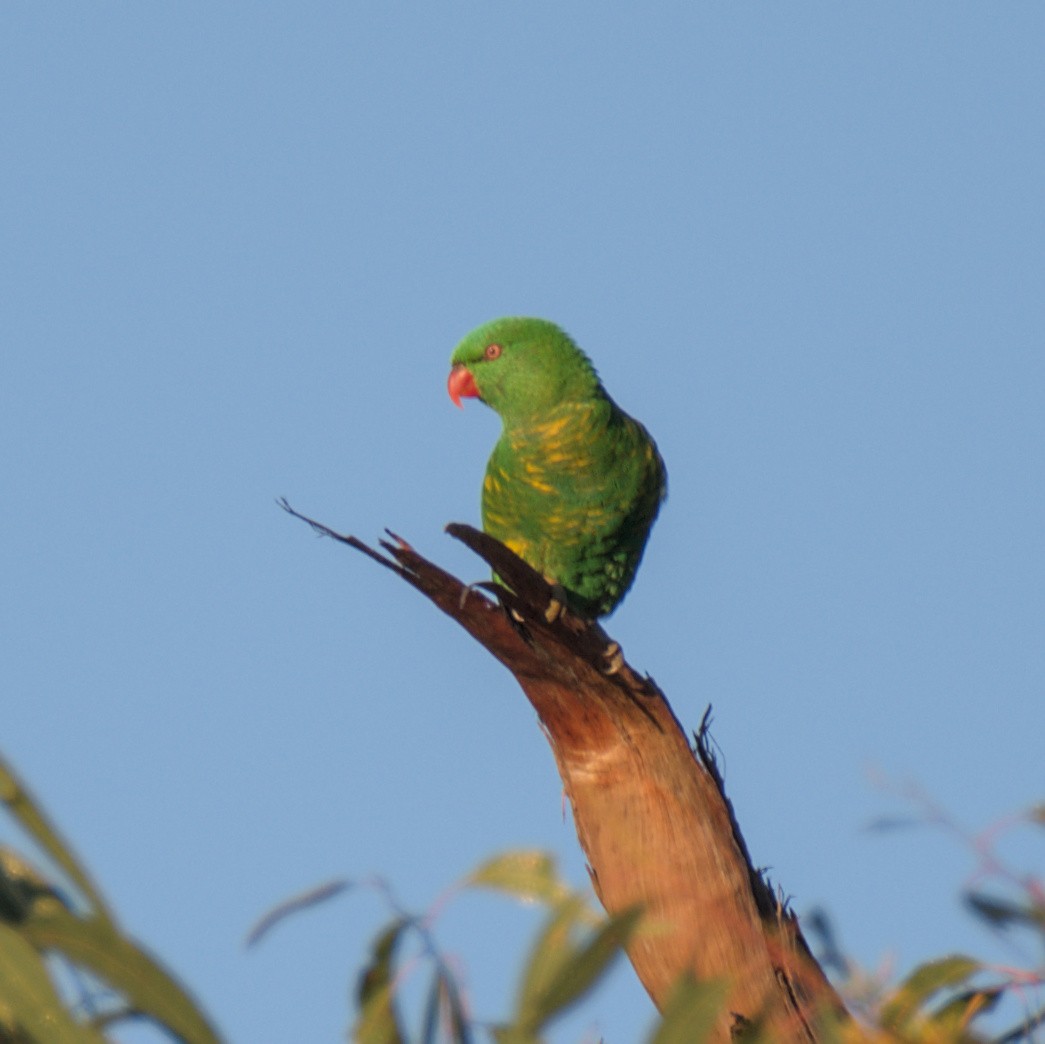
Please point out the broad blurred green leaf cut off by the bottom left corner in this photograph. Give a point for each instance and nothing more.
(30, 1004)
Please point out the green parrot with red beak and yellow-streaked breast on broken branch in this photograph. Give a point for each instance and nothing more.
(574, 484)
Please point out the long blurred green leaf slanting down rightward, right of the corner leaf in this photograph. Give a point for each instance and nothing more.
(95, 944)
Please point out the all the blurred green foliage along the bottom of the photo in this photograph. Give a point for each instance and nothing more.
(63, 920)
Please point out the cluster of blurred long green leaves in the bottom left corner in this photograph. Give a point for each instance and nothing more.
(41, 923)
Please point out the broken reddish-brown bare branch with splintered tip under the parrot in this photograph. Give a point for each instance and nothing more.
(651, 810)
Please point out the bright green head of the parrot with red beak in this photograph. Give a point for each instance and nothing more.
(522, 368)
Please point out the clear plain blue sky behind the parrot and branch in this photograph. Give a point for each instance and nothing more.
(803, 243)
